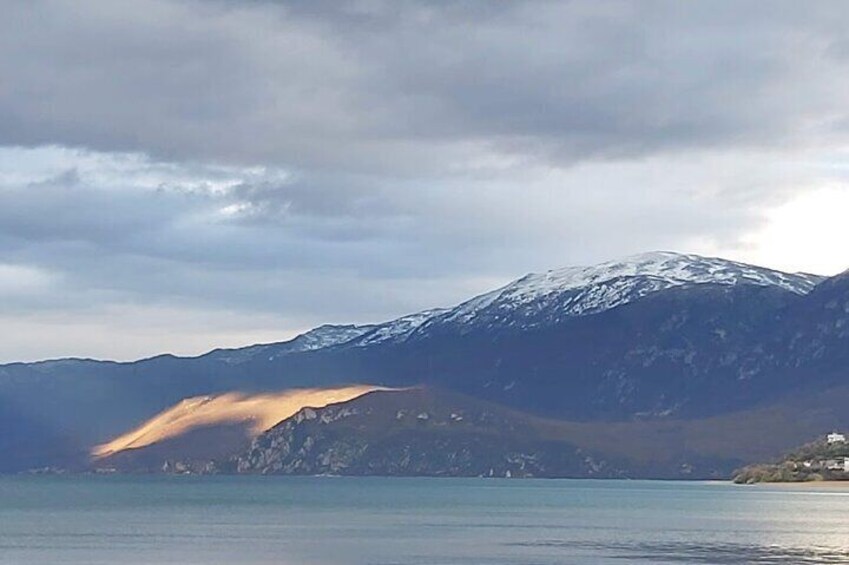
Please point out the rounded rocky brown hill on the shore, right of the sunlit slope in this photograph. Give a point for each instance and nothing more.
(414, 433)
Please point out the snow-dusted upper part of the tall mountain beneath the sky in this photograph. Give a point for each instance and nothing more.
(543, 299)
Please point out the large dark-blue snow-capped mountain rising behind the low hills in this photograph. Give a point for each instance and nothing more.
(655, 337)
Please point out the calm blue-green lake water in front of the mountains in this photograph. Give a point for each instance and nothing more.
(330, 521)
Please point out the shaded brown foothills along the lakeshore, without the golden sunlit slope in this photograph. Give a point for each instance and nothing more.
(427, 431)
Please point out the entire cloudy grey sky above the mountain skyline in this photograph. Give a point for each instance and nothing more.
(179, 175)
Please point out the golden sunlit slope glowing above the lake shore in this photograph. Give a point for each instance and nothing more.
(260, 411)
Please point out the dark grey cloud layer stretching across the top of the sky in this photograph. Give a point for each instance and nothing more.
(403, 86)
